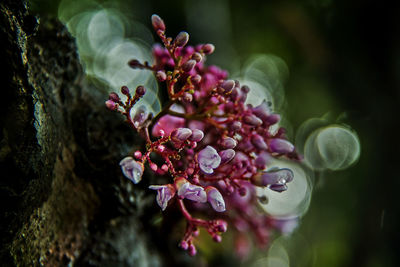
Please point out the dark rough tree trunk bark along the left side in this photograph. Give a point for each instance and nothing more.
(64, 200)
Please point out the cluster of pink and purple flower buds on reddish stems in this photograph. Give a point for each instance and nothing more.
(214, 148)
